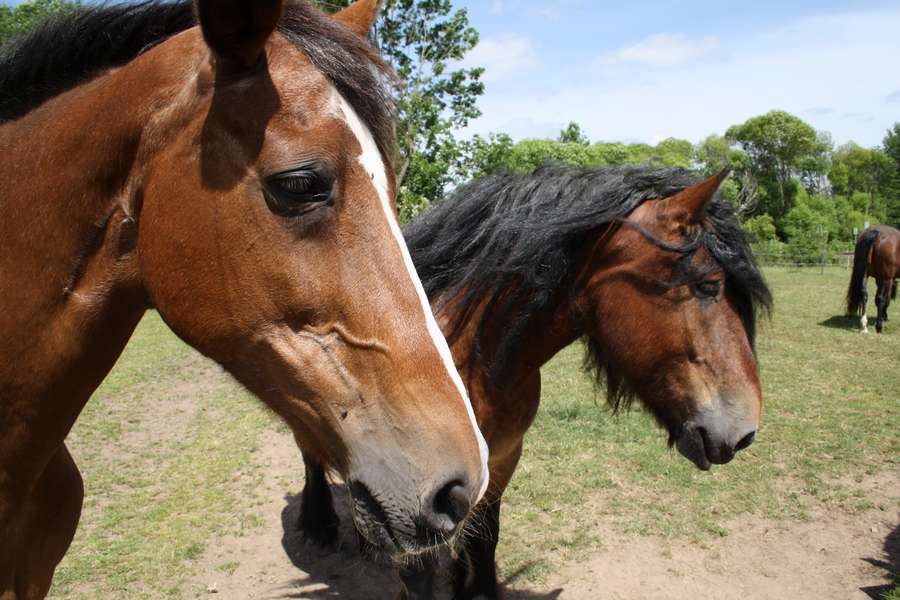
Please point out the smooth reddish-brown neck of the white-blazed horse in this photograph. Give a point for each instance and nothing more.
(71, 201)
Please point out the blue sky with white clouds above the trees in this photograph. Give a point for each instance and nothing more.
(649, 69)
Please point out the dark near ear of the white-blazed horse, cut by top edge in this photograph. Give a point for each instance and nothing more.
(237, 30)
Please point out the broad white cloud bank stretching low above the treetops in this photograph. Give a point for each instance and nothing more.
(822, 68)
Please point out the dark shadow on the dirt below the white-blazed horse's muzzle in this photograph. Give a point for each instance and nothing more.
(343, 572)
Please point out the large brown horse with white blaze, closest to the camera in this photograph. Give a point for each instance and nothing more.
(236, 176)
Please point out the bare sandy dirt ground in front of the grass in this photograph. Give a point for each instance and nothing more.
(831, 555)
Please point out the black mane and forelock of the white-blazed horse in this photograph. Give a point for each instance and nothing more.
(71, 48)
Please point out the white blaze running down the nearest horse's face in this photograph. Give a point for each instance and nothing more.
(372, 162)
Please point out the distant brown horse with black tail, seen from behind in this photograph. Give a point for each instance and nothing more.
(877, 255)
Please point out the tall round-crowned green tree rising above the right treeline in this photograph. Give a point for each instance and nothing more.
(779, 145)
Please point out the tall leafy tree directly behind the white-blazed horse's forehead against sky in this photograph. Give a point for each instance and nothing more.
(425, 40)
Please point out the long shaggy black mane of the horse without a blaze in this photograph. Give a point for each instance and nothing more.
(515, 240)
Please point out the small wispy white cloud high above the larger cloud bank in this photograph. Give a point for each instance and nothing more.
(663, 50)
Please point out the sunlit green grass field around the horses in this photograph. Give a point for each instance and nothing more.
(166, 443)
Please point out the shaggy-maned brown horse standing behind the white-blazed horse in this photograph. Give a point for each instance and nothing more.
(647, 265)
